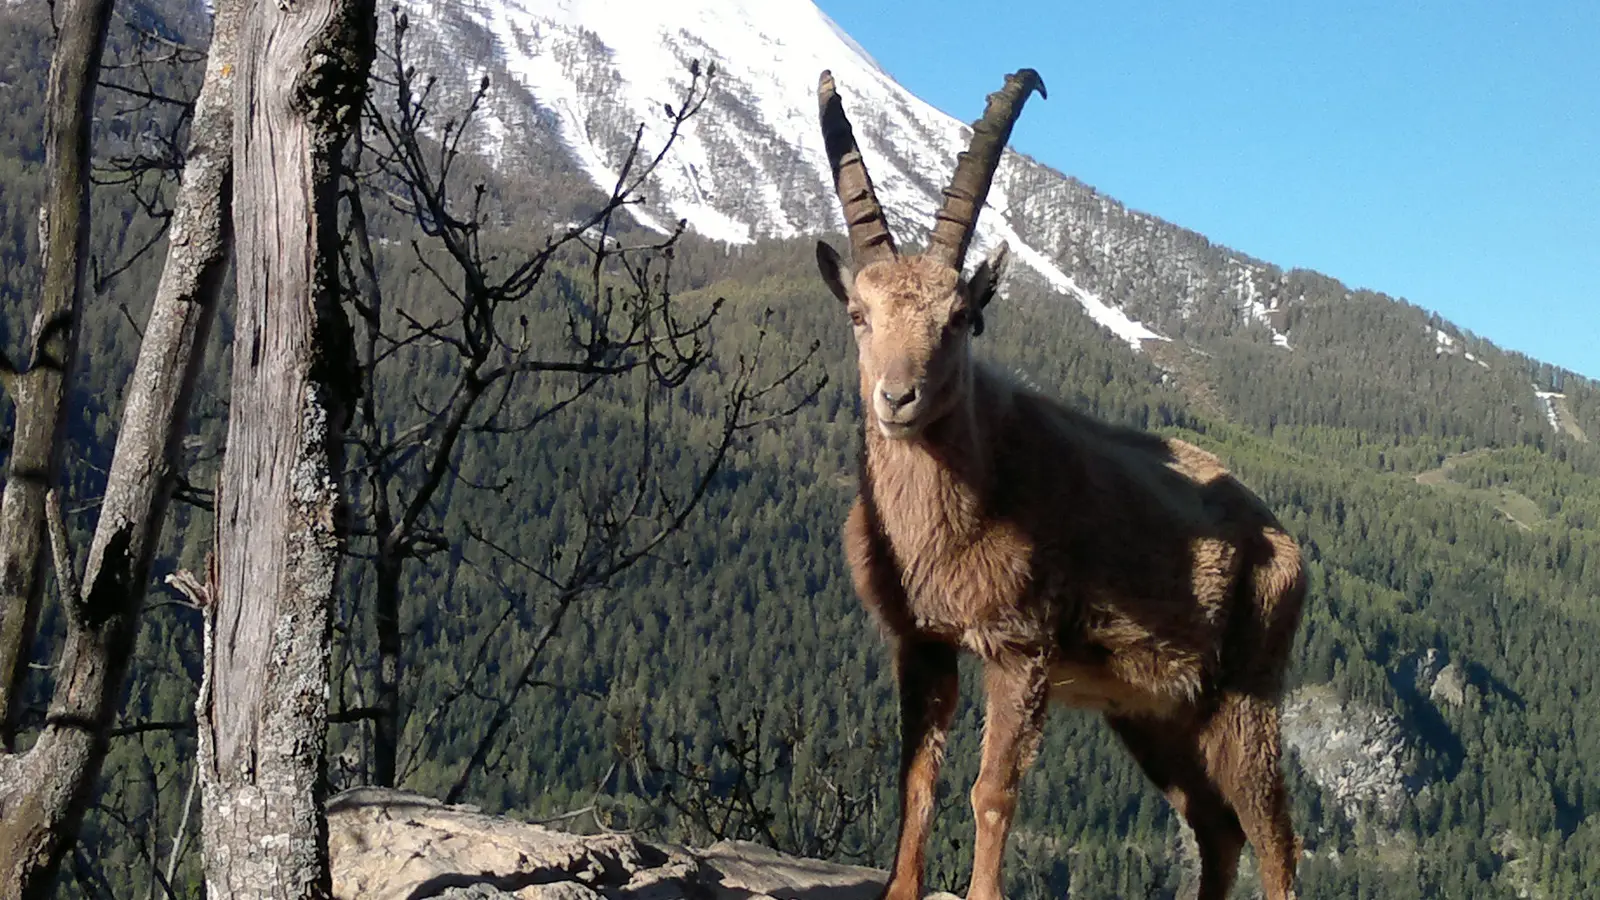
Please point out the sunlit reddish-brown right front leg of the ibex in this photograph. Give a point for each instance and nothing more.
(1014, 721)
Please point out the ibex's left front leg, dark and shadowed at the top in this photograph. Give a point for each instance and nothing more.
(929, 688)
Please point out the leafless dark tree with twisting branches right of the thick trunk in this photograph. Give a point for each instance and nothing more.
(623, 327)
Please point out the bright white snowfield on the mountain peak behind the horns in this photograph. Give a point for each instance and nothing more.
(753, 164)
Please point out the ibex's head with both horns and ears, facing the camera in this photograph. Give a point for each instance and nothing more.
(914, 316)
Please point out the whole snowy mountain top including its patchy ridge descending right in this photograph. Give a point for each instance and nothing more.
(575, 79)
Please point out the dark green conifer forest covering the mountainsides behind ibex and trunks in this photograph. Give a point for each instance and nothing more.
(726, 683)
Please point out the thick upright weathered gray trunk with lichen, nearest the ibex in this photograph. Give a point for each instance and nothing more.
(265, 702)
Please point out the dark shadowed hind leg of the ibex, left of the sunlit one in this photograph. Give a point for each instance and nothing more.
(1175, 765)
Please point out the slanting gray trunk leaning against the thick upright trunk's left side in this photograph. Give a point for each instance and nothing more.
(46, 792)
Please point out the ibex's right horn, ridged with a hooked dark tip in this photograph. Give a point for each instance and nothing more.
(975, 169)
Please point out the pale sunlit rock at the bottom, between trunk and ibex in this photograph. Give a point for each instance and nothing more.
(401, 846)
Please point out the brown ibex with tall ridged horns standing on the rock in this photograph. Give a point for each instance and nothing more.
(1082, 563)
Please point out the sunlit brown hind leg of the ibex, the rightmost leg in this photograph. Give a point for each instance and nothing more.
(1242, 758)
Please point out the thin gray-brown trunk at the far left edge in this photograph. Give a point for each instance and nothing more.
(41, 390)
